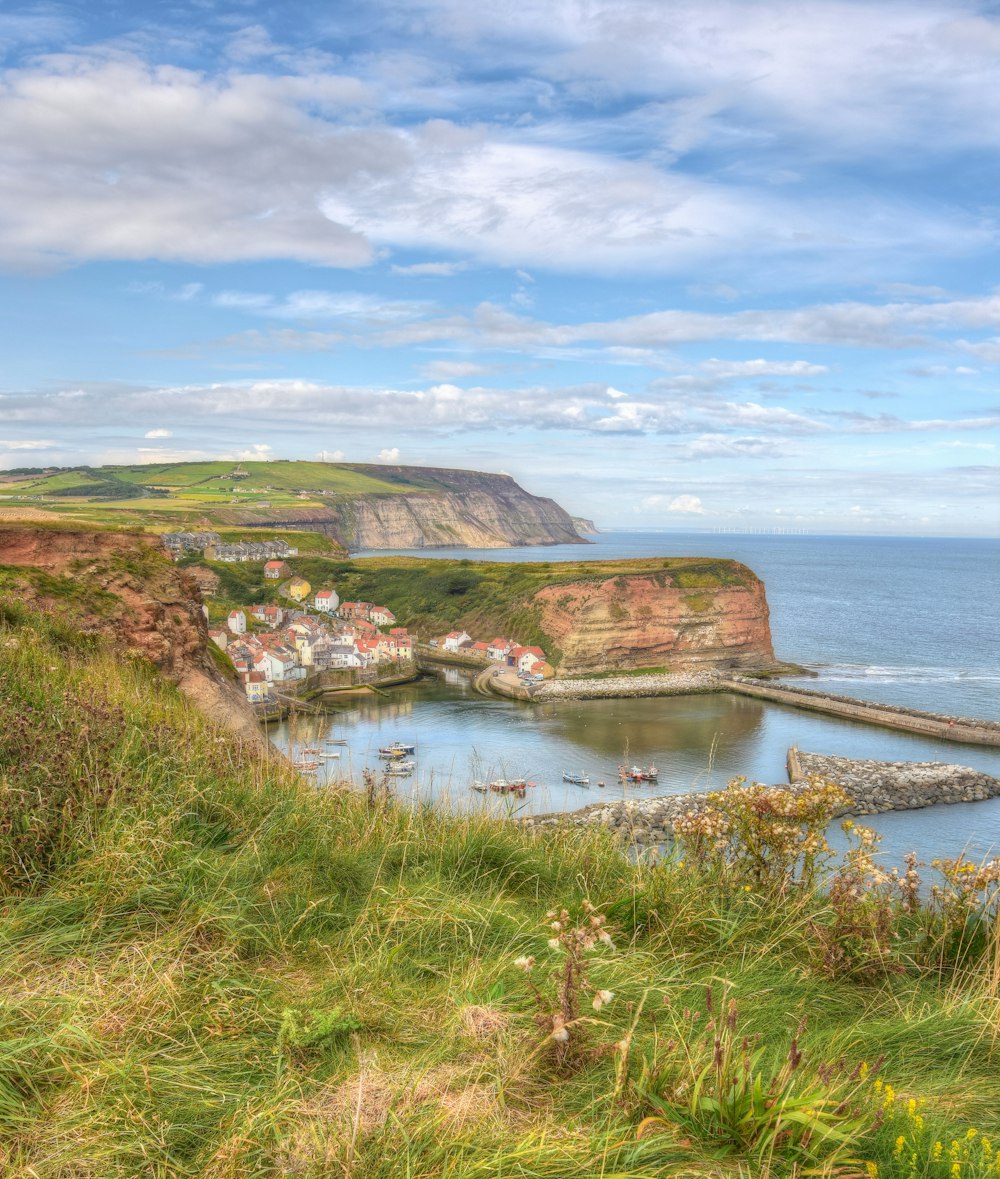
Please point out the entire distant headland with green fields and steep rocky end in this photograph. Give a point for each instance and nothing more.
(359, 506)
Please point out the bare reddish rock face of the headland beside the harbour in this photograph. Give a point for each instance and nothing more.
(649, 621)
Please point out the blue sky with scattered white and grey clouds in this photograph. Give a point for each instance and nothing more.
(710, 265)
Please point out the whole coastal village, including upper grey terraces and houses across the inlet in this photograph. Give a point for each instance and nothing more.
(279, 650)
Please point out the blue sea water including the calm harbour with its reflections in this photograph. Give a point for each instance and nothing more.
(913, 622)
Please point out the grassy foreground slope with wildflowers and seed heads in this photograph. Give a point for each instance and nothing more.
(208, 969)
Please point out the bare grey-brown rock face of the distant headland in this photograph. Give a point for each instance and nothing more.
(460, 509)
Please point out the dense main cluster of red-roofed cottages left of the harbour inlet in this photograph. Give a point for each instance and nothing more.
(298, 643)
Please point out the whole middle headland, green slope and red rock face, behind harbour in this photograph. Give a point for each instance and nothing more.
(682, 614)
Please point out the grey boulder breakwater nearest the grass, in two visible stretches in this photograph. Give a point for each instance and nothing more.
(873, 787)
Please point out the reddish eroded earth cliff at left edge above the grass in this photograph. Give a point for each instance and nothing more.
(123, 587)
